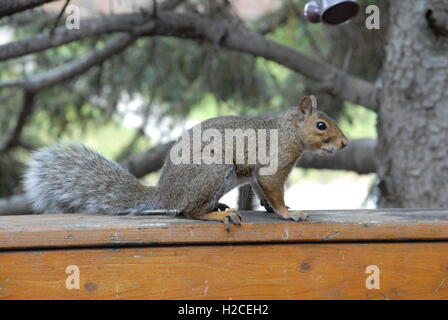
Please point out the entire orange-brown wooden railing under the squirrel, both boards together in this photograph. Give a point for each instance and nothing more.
(160, 257)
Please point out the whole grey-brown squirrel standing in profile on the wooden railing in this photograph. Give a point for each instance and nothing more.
(73, 179)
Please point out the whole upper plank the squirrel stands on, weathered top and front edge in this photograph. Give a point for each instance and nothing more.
(78, 230)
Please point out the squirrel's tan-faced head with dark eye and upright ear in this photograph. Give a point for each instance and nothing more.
(318, 131)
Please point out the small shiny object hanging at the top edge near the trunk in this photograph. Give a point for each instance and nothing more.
(331, 11)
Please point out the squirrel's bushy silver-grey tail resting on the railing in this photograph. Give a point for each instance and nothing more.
(72, 178)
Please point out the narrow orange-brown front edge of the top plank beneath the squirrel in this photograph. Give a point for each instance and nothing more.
(192, 233)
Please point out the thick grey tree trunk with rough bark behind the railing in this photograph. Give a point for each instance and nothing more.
(413, 118)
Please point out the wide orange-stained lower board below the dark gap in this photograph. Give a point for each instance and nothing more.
(279, 271)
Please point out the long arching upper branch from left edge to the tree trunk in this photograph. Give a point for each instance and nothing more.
(224, 33)
